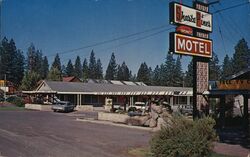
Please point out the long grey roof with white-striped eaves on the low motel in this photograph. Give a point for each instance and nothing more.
(107, 89)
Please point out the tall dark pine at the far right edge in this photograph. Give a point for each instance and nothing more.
(240, 56)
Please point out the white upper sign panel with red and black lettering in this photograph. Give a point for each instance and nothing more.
(183, 15)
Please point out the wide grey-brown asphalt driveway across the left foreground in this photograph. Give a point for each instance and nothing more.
(48, 134)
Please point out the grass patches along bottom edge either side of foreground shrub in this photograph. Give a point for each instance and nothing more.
(145, 152)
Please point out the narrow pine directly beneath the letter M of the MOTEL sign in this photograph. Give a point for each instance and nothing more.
(178, 74)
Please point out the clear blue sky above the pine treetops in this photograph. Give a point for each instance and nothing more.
(55, 26)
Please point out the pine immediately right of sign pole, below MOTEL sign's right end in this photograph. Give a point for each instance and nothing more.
(214, 68)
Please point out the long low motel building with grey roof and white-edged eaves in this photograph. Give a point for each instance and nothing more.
(95, 94)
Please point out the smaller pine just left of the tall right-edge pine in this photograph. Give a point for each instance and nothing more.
(227, 67)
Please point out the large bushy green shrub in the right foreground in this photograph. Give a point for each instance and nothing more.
(184, 138)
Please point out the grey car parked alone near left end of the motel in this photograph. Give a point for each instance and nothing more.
(63, 106)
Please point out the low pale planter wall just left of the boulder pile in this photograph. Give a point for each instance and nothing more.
(113, 117)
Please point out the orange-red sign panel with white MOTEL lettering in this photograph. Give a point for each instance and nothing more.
(187, 45)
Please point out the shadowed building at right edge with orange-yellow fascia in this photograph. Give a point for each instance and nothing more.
(232, 95)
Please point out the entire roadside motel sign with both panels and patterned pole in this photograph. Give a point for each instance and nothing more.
(192, 38)
